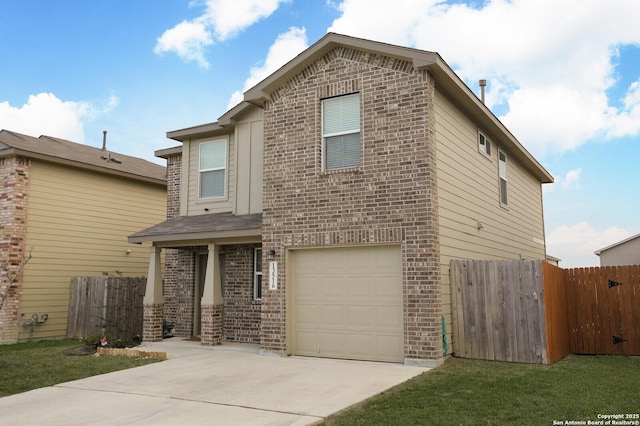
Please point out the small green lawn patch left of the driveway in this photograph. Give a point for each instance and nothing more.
(26, 366)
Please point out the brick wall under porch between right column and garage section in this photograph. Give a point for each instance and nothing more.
(241, 312)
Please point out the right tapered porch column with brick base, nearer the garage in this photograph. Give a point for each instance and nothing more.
(211, 302)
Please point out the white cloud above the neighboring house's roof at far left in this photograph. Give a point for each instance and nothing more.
(45, 114)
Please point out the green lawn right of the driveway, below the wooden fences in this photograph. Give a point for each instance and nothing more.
(473, 392)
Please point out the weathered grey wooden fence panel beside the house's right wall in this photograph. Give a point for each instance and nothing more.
(499, 310)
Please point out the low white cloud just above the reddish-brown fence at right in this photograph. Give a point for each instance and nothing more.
(576, 244)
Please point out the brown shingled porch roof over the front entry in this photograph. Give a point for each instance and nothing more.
(200, 229)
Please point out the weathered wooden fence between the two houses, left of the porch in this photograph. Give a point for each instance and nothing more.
(106, 305)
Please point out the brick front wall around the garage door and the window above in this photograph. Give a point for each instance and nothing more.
(390, 198)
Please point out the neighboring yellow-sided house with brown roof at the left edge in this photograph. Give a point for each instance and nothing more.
(70, 207)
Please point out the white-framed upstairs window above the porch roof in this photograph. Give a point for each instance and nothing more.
(213, 168)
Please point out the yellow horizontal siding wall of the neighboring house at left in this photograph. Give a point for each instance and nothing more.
(77, 224)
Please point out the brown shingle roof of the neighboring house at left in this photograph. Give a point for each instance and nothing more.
(78, 155)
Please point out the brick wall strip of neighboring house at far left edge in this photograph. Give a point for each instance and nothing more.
(14, 192)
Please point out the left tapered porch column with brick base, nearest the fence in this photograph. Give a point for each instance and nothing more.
(153, 300)
